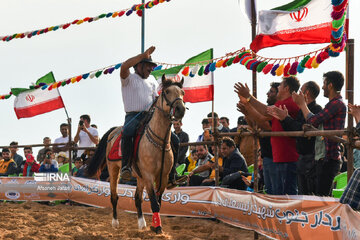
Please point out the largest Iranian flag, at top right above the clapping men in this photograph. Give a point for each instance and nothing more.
(299, 22)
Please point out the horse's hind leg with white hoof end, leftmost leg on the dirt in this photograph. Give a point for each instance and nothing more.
(114, 172)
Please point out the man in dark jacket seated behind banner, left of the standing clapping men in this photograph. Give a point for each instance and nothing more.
(233, 162)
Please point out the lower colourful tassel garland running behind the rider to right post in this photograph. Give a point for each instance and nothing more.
(246, 57)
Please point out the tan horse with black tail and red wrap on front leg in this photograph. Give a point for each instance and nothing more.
(155, 157)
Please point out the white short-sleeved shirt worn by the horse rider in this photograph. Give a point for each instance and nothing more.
(138, 93)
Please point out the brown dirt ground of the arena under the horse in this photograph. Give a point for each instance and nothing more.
(31, 220)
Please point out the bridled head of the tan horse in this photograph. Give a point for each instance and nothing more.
(172, 95)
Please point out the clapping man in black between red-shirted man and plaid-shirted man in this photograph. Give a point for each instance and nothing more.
(306, 173)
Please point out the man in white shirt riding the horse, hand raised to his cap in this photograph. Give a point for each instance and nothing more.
(138, 93)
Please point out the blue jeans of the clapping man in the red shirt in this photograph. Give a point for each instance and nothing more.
(286, 179)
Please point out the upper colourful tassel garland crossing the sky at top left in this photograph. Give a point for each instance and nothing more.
(138, 8)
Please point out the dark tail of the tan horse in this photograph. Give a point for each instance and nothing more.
(99, 159)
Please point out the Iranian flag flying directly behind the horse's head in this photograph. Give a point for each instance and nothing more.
(197, 88)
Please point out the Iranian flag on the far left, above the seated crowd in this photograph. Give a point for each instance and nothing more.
(32, 102)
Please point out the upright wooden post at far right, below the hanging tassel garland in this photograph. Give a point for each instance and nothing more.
(350, 97)
